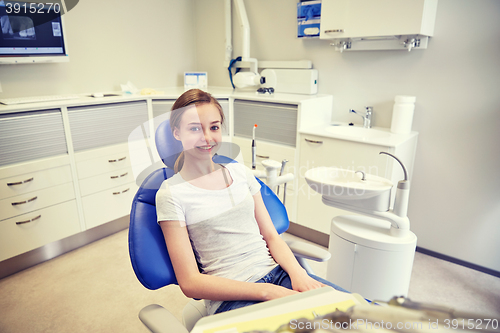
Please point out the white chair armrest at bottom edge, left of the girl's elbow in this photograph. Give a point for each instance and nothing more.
(159, 320)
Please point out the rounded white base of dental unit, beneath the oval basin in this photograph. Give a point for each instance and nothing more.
(368, 260)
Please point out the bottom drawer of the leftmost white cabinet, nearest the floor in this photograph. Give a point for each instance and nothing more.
(38, 228)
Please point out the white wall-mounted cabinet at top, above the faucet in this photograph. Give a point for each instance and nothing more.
(366, 24)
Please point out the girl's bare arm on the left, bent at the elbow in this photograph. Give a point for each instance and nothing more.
(196, 285)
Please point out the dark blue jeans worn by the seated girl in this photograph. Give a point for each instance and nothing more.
(278, 277)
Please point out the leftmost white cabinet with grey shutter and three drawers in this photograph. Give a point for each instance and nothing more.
(37, 195)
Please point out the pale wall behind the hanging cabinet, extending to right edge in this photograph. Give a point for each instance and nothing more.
(455, 196)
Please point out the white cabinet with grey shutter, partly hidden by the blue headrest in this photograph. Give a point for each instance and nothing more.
(100, 135)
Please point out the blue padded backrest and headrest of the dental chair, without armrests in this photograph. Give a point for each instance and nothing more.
(147, 248)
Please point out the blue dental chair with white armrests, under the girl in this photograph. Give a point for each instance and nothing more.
(148, 251)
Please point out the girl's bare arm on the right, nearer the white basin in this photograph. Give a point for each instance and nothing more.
(280, 251)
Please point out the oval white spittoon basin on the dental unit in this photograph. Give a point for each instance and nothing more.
(346, 187)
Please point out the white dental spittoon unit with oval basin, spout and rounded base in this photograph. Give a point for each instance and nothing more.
(375, 249)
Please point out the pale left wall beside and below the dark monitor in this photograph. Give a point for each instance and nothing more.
(149, 43)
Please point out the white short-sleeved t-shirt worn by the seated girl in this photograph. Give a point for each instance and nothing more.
(221, 224)
